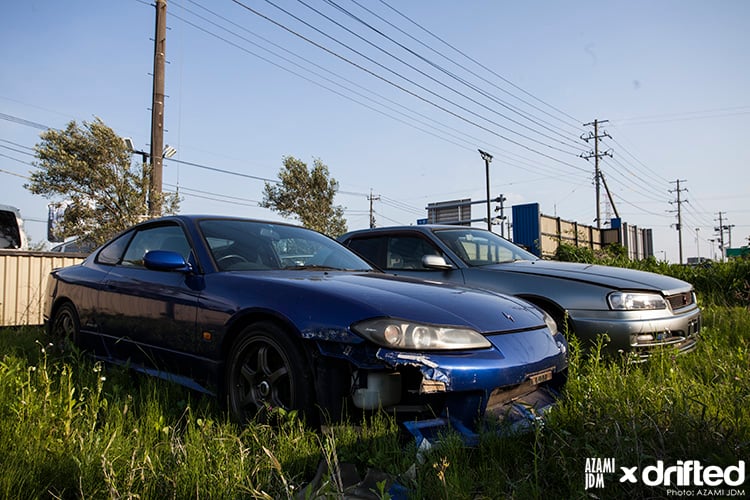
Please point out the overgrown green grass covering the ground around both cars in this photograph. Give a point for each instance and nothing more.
(75, 429)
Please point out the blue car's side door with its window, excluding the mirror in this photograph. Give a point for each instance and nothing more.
(149, 316)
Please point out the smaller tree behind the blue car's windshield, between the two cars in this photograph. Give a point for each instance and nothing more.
(307, 196)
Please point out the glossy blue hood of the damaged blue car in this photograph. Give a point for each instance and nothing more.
(345, 298)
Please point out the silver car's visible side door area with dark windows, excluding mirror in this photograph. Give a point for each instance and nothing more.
(402, 253)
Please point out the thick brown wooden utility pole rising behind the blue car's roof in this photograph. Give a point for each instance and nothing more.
(157, 110)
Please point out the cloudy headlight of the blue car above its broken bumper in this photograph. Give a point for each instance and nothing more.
(401, 334)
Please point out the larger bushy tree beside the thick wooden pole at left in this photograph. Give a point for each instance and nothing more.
(89, 169)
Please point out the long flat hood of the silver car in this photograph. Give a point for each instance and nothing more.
(611, 277)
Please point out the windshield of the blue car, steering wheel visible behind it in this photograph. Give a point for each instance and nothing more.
(240, 245)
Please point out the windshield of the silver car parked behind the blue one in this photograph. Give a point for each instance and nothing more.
(481, 248)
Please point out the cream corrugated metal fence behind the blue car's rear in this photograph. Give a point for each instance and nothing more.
(23, 280)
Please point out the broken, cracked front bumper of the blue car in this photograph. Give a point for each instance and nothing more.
(515, 379)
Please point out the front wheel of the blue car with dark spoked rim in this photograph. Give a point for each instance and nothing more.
(265, 371)
